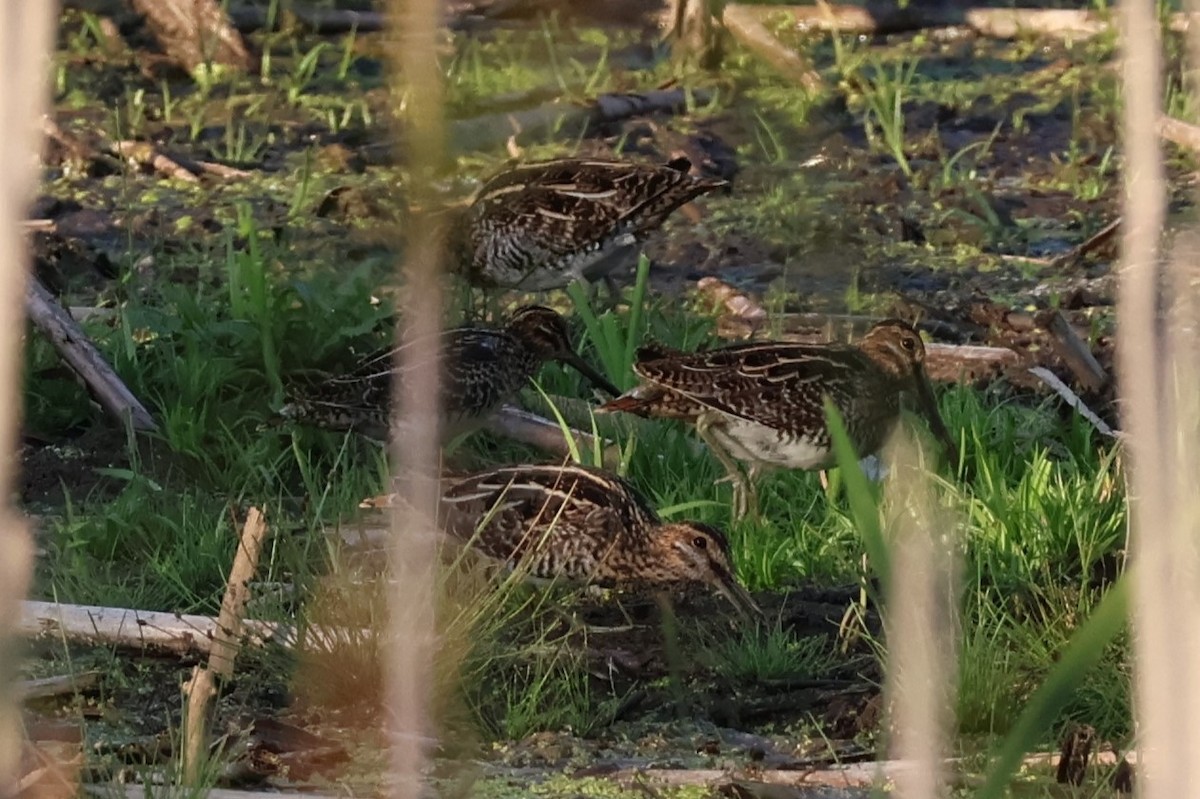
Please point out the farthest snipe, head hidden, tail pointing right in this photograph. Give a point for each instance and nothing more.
(542, 226)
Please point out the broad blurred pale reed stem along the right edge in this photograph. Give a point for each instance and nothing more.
(1157, 373)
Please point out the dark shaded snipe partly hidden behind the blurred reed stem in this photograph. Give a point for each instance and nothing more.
(483, 368)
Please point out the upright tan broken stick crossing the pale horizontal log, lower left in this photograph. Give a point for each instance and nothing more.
(226, 642)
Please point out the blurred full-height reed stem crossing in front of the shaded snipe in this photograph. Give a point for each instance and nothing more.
(415, 448)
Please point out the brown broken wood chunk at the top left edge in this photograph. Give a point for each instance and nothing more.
(195, 33)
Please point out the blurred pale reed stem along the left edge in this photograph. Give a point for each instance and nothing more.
(28, 31)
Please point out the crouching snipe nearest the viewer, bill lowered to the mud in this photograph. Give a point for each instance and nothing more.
(583, 525)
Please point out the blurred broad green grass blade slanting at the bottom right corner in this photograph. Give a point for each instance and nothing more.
(1082, 654)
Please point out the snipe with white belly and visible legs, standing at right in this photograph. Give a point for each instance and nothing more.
(761, 404)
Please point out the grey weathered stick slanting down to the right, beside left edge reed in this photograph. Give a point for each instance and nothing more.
(85, 359)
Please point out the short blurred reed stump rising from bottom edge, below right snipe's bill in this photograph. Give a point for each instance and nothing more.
(920, 623)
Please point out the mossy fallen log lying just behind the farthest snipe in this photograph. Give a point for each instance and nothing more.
(491, 131)
